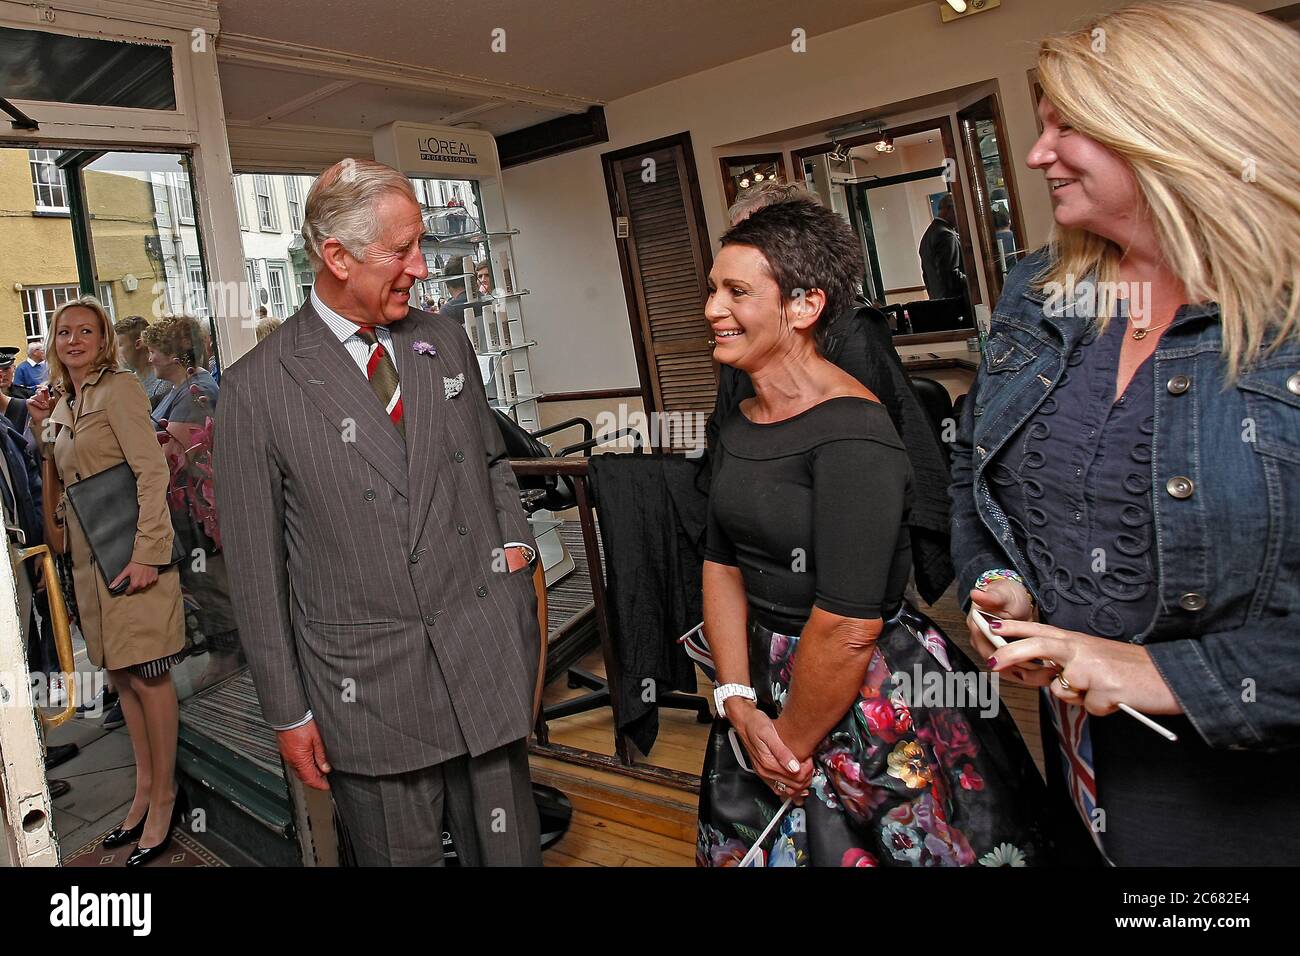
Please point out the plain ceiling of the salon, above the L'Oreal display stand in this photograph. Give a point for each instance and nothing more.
(358, 64)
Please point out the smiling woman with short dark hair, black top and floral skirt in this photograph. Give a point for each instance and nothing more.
(807, 563)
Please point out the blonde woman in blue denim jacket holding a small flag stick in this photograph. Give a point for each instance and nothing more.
(1126, 490)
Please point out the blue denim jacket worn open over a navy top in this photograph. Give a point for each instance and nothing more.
(1225, 498)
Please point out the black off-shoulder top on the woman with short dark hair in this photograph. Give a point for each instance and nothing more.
(814, 511)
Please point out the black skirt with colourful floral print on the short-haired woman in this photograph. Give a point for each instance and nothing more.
(926, 769)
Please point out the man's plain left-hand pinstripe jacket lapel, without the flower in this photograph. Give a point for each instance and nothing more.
(333, 383)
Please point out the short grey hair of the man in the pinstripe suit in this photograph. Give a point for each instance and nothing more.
(341, 206)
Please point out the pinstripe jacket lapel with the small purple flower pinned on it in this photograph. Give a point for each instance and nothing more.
(423, 412)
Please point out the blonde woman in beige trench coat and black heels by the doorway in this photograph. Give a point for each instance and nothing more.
(99, 418)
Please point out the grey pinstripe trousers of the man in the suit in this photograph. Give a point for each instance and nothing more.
(397, 820)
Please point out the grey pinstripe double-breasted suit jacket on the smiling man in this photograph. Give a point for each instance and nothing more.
(363, 566)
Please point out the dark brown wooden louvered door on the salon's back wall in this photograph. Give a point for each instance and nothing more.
(655, 200)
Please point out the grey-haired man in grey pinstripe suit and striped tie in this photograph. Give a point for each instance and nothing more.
(384, 591)
